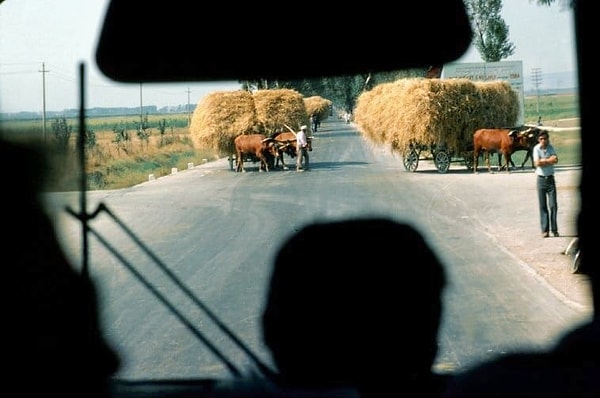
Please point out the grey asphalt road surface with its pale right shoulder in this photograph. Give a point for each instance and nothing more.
(216, 233)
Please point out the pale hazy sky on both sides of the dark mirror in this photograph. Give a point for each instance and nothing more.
(57, 36)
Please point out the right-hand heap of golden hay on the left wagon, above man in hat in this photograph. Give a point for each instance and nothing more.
(279, 107)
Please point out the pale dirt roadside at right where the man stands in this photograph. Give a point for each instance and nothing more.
(515, 223)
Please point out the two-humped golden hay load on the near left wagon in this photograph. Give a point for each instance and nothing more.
(222, 116)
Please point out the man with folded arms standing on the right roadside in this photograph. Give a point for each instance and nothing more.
(544, 159)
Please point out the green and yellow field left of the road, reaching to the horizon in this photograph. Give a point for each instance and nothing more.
(119, 157)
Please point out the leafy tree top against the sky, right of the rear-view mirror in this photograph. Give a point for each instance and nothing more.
(490, 32)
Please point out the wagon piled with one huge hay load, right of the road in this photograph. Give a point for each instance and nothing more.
(434, 119)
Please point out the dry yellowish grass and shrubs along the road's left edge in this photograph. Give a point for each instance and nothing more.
(113, 163)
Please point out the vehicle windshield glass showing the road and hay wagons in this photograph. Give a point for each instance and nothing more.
(183, 229)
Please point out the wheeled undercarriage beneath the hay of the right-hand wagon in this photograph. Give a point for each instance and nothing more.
(441, 154)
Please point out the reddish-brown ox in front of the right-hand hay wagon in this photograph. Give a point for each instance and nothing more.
(501, 141)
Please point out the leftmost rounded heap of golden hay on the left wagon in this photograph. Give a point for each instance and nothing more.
(221, 116)
